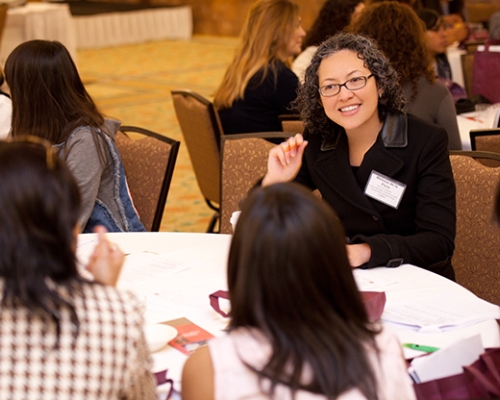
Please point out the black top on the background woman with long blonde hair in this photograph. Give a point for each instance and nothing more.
(262, 103)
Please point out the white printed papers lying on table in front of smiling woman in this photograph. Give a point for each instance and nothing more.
(440, 312)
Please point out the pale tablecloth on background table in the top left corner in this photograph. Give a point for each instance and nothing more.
(38, 20)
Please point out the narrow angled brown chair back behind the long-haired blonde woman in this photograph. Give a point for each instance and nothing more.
(202, 131)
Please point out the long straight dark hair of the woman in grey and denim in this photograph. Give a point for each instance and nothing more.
(48, 97)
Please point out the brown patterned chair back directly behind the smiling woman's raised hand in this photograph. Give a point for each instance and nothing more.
(244, 162)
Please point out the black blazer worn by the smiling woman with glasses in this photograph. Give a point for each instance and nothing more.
(421, 231)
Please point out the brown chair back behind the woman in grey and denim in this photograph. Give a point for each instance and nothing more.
(149, 163)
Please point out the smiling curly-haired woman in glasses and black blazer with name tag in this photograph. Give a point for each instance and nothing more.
(385, 172)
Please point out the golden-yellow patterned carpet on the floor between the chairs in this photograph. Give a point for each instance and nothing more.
(133, 83)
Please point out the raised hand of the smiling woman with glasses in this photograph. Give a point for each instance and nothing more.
(285, 160)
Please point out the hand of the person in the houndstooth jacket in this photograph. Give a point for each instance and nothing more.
(106, 261)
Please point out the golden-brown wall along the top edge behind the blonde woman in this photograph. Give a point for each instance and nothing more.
(225, 17)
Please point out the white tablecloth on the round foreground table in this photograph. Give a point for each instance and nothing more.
(176, 272)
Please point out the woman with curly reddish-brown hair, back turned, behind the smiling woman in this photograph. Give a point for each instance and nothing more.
(401, 36)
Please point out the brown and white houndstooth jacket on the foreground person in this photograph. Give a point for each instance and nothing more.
(107, 360)
